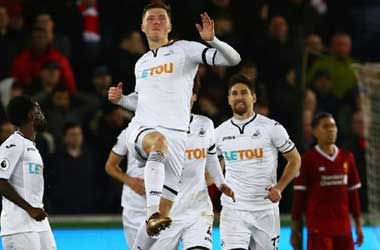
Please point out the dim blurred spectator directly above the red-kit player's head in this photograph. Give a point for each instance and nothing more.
(326, 100)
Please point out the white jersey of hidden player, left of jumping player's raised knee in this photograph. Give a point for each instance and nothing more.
(129, 198)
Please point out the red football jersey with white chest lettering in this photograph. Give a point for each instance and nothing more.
(325, 182)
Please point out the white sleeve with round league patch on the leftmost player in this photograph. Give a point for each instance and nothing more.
(10, 154)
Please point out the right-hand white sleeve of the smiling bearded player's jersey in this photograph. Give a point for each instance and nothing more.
(280, 139)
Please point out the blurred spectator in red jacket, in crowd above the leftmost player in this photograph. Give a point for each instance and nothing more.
(28, 64)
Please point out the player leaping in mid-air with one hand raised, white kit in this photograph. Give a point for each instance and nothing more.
(164, 81)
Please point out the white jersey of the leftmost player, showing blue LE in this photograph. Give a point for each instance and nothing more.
(21, 164)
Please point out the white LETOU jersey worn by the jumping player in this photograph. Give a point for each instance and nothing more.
(164, 83)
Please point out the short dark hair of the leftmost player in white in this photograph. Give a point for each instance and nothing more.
(19, 108)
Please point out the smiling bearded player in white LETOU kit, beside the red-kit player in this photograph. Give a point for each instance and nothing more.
(248, 144)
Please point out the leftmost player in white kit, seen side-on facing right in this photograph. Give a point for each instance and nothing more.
(24, 223)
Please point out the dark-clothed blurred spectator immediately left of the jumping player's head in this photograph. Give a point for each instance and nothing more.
(123, 59)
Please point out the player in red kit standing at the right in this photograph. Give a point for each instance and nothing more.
(326, 192)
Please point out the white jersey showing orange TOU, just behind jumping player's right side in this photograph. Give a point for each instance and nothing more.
(193, 198)
